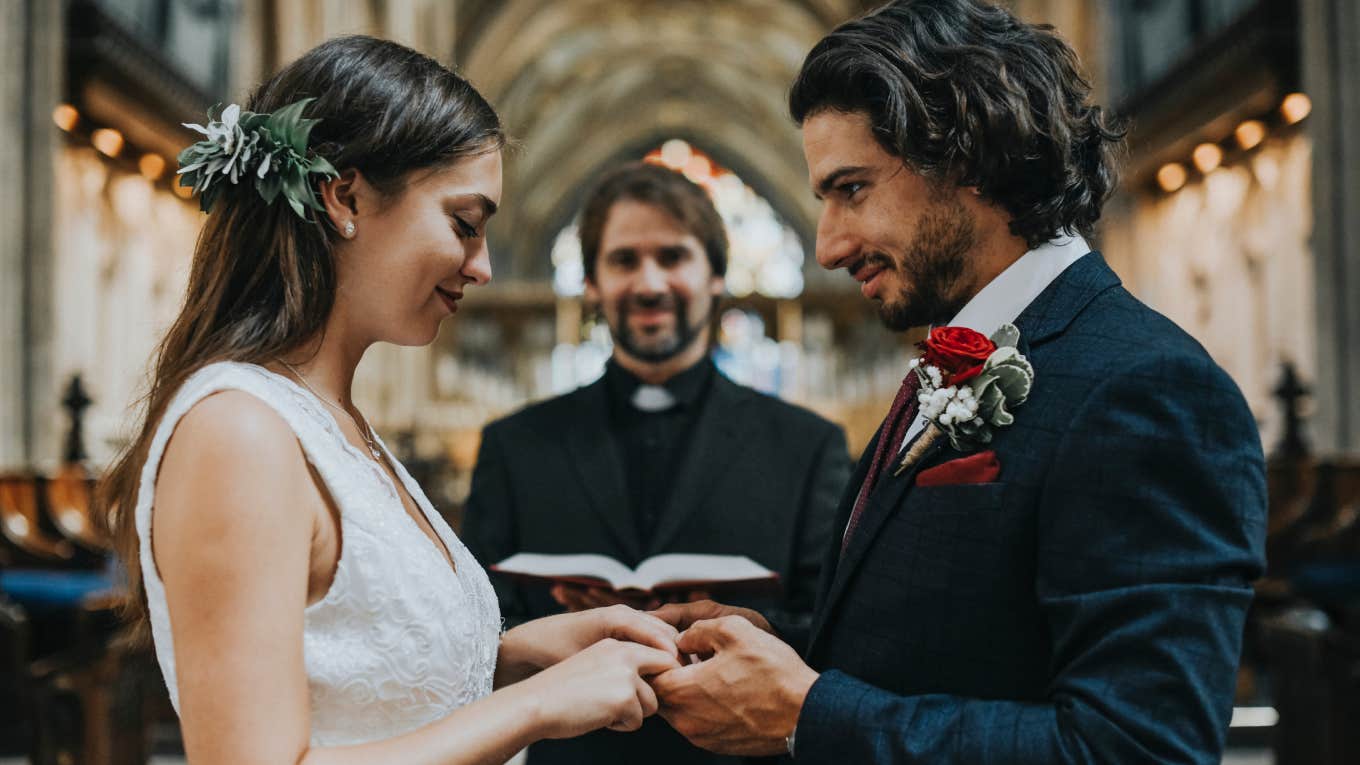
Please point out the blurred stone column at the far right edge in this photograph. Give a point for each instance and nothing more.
(1331, 37)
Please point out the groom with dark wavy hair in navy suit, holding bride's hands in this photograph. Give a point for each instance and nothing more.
(1063, 582)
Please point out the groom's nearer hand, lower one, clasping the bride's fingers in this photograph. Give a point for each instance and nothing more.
(745, 698)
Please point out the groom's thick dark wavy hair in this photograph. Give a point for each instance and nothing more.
(964, 92)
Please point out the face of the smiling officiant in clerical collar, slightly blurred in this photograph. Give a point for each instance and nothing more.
(653, 282)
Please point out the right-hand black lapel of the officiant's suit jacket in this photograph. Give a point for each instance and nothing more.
(711, 453)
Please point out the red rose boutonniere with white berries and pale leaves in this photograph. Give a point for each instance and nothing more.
(969, 386)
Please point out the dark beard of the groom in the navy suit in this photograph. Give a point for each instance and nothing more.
(932, 273)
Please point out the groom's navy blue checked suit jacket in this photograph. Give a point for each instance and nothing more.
(1089, 605)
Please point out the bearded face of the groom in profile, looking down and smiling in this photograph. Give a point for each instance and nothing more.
(904, 238)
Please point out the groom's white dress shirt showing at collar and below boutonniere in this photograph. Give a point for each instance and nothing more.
(1006, 297)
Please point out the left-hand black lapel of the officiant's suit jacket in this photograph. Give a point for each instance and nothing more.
(599, 469)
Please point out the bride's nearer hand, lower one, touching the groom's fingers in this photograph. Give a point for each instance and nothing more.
(603, 687)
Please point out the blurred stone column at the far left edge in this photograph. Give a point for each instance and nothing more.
(31, 76)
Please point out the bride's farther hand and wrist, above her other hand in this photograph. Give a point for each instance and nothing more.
(543, 643)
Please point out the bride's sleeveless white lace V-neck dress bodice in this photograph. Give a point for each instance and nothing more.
(399, 640)
